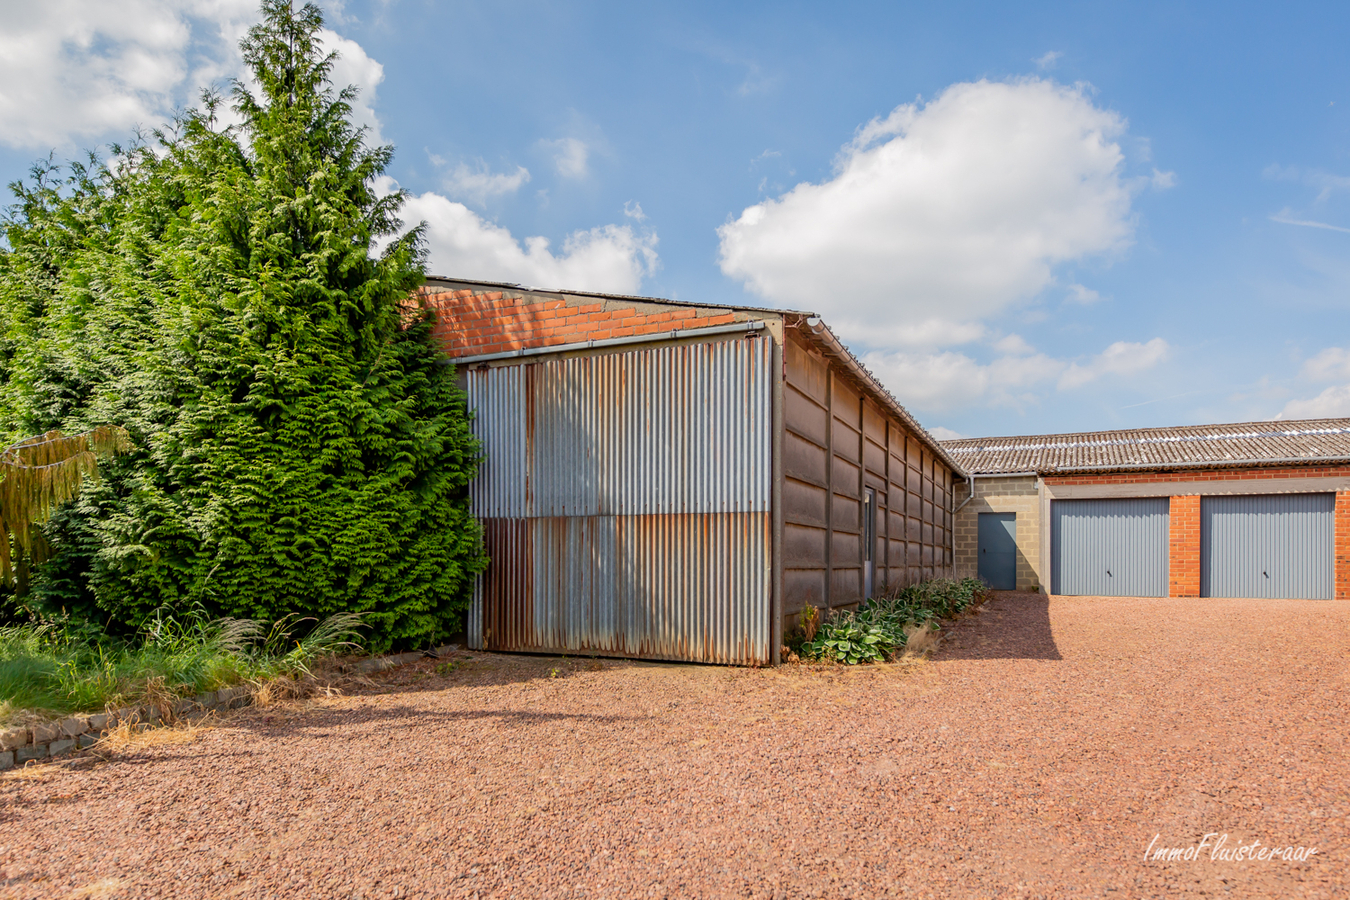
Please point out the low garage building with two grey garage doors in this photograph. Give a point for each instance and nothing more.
(1251, 509)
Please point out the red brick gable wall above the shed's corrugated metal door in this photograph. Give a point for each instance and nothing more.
(489, 322)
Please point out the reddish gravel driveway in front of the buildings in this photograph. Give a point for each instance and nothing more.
(1039, 755)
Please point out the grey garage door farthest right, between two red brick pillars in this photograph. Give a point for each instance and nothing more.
(1268, 546)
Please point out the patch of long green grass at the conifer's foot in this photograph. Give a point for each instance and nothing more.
(48, 671)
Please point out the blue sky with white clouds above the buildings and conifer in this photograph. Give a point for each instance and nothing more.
(1074, 218)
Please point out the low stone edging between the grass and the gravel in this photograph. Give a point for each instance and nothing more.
(47, 740)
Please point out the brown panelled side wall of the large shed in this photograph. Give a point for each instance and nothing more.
(838, 443)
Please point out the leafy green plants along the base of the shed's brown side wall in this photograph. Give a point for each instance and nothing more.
(885, 625)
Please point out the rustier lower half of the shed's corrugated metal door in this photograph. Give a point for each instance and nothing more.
(672, 588)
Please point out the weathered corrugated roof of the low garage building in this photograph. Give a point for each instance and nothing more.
(1299, 442)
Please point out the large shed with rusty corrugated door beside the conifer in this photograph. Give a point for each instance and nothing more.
(680, 481)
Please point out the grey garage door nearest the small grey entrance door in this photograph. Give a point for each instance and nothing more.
(1110, 547)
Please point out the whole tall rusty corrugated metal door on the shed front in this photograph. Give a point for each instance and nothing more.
(626, 504)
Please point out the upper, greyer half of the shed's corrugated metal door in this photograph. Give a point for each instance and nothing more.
(676, 430)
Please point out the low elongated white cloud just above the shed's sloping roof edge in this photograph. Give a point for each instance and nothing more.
(1017, 377)
